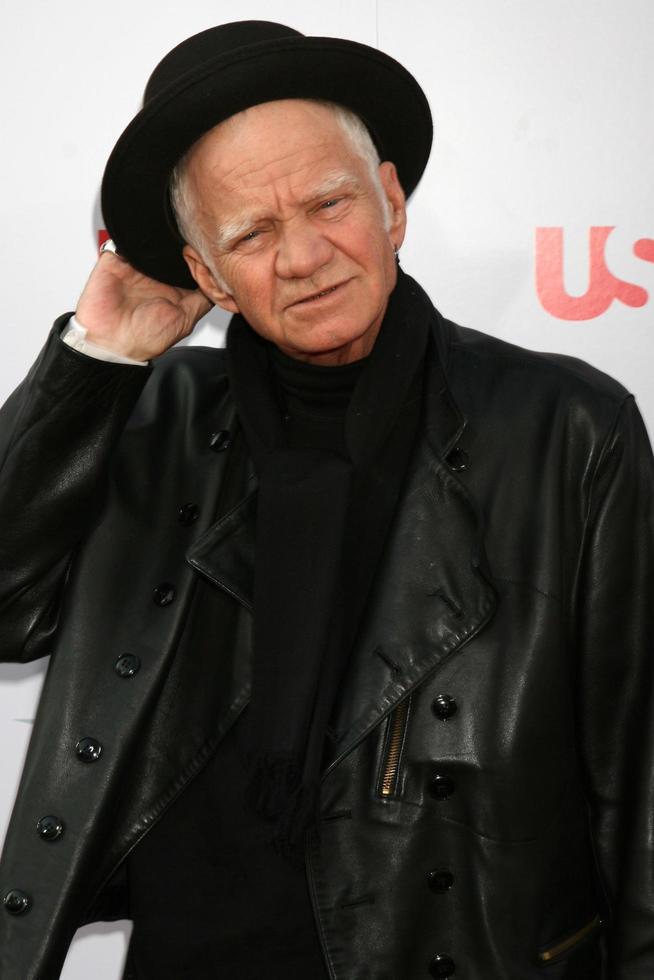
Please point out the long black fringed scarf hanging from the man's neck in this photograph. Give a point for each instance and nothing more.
(322, 519)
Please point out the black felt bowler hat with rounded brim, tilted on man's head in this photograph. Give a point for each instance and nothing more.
(222, 71)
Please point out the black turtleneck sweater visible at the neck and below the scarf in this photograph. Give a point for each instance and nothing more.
(209, 895)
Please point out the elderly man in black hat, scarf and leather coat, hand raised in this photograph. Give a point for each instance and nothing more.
(351, 666)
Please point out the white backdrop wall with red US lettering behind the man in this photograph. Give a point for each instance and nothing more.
(544, 142)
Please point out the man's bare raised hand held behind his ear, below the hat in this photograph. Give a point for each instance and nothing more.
(133, 315)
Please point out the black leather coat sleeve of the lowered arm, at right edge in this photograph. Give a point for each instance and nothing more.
(615, 635)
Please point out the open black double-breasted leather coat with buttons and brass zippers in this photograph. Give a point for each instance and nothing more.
(487, 808)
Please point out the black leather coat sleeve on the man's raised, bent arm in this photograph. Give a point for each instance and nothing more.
(57, 434)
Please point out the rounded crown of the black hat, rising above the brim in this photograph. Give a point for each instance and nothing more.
(208, 45)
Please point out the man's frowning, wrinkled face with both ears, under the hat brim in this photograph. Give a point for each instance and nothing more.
(296, 230)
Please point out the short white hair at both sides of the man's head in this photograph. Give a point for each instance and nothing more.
(182, 198)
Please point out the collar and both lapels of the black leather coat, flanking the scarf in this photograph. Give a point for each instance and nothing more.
(431, 594)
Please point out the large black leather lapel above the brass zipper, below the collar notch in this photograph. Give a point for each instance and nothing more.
(430, 597)
